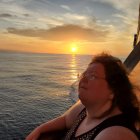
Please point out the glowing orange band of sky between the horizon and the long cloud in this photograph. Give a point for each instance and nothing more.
(30, 44)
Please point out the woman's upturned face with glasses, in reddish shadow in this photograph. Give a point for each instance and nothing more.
(93, 87)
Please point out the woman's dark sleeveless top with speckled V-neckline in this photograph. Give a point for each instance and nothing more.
(117, 120)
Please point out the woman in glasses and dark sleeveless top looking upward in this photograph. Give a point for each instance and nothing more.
(107, 110)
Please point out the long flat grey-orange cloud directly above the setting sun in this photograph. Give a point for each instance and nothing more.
(63, 33)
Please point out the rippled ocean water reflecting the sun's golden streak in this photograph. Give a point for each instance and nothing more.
(35, 88)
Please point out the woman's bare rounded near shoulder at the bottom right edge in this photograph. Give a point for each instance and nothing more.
(116, 133)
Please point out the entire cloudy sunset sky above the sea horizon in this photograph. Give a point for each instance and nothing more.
(57, 26)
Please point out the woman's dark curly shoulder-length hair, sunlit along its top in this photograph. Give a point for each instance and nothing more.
(119, 82)
